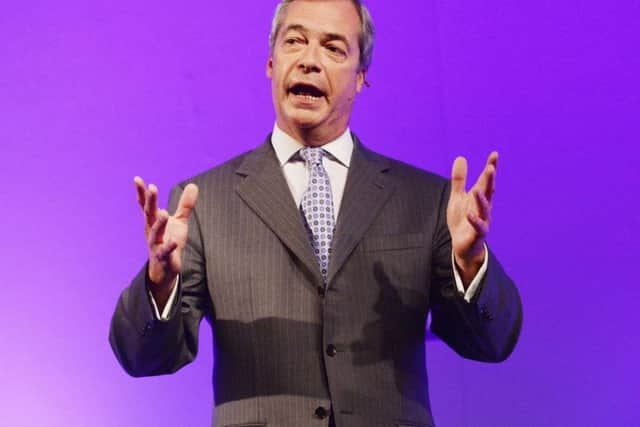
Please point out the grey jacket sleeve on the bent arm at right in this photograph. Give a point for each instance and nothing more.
(488, 327)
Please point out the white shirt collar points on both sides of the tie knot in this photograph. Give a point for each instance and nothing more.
(285, 146)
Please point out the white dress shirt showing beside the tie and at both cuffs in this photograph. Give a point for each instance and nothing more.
(337, 166)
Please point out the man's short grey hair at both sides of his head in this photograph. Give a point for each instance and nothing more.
(366, 39)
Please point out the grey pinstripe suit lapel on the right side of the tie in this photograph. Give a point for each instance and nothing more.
(367, 189)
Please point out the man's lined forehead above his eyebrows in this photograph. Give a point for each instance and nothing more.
(324, 16)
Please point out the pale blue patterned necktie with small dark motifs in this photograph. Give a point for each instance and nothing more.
(317, 207)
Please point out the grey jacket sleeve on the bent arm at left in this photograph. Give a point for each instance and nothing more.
(145, 345)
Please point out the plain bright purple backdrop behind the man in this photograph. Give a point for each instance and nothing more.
(93, 93)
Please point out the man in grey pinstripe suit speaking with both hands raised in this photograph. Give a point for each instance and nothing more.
(316, 260)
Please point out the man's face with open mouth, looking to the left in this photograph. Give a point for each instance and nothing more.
(314, 68)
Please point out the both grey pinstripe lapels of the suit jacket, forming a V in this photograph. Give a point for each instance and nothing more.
(266, 192)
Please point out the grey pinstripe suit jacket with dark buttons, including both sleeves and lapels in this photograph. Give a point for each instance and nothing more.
(288, 351)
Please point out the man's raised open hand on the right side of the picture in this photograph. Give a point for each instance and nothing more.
(469, 215)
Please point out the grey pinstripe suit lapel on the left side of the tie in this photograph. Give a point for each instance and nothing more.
(265, 190)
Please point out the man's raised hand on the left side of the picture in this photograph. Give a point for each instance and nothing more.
(166, 237)
